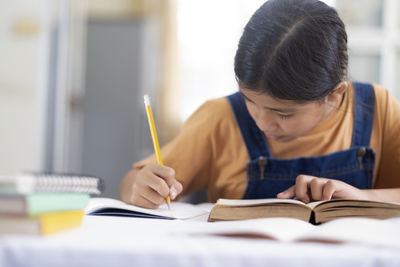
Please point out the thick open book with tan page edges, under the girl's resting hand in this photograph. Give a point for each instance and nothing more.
(314, 212)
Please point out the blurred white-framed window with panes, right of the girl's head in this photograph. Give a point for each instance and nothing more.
(373, 29)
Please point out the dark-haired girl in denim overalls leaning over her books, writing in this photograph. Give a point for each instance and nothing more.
(296, 128)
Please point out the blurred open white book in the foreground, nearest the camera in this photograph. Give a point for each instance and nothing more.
(350, 230)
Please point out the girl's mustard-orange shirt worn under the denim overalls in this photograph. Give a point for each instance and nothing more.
(209, 152)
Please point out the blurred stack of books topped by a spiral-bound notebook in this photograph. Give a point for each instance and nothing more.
(43, 204)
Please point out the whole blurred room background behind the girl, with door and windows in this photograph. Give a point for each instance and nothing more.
(73, 73)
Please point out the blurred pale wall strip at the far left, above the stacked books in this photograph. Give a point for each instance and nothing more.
(20, 35)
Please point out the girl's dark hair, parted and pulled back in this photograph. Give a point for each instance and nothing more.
(293, 50)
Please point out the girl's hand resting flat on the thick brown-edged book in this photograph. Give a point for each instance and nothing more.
(311, 188)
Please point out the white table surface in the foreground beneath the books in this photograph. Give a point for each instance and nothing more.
(119, 241)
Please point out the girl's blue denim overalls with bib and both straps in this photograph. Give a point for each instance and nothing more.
(267, 176)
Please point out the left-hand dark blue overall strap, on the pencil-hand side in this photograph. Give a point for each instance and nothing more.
(253, 137)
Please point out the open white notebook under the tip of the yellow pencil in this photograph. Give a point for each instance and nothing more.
(114, 207)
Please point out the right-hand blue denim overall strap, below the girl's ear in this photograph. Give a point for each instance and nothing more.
(364, 97)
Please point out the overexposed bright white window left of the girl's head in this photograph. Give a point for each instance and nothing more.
(208, 34)
